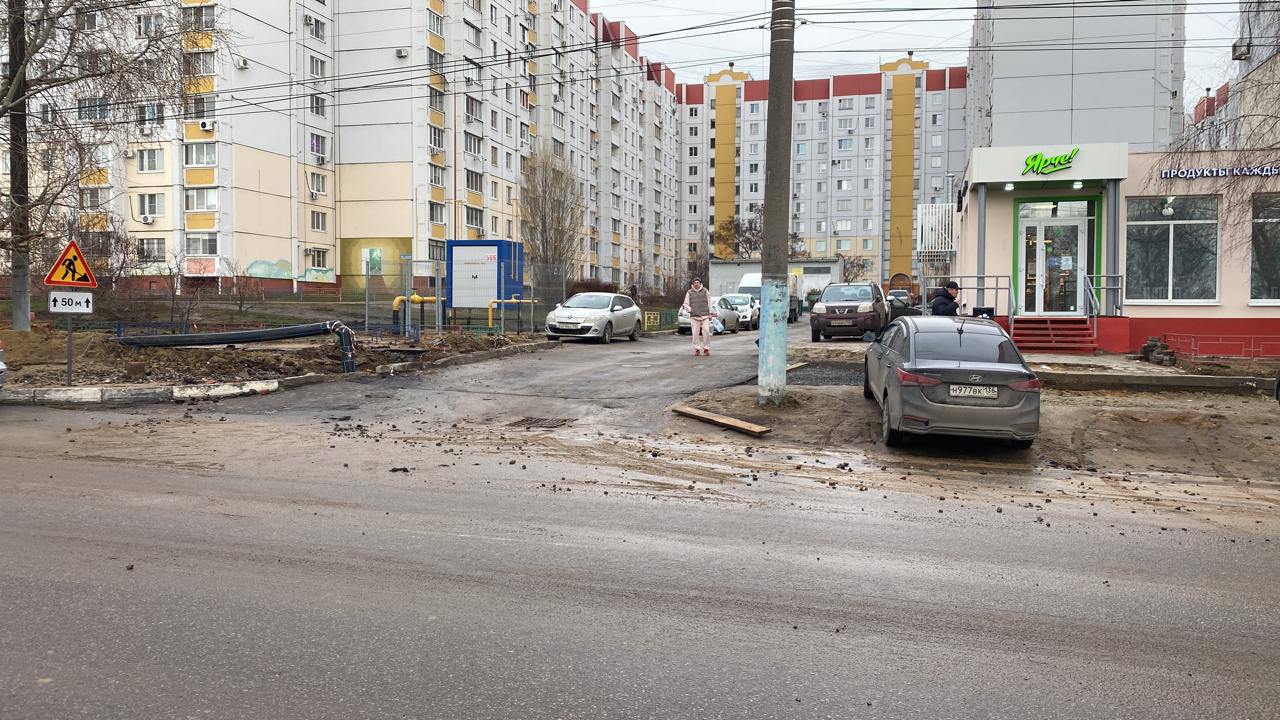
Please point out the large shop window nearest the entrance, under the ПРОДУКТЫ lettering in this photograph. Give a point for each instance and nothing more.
(1168, 239)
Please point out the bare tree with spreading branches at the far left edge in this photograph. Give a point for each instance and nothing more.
(84, 76)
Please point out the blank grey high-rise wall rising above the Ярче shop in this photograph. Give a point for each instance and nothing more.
(1044, 74)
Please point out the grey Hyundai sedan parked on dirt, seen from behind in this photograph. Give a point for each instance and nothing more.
(954, 377)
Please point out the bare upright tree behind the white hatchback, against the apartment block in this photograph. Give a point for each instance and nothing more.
(554, 208)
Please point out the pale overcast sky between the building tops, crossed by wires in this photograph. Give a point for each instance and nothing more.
(938, 34)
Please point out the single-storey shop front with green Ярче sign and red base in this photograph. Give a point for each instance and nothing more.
(1185, 245)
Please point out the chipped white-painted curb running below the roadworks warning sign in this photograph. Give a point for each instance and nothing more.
(121, 397)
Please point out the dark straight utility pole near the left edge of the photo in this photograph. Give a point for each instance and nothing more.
(20, 181)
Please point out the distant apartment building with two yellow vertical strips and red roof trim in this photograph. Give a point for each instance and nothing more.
(867, 151)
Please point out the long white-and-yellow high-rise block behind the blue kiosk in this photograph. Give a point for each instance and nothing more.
(337, 139)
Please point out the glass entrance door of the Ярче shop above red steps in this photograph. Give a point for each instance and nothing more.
(1054, 268)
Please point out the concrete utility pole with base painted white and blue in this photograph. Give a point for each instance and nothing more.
(775, 295)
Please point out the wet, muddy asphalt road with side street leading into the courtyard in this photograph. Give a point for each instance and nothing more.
(281, 569)
